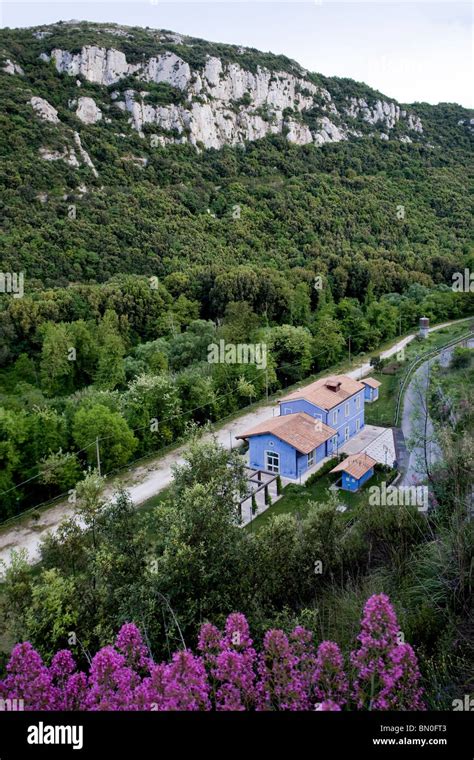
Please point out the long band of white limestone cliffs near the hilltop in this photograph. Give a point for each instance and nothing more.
(223, 103)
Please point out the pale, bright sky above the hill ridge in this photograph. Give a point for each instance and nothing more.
(411, 51)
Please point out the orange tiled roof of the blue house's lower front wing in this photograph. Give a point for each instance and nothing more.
(299, 430)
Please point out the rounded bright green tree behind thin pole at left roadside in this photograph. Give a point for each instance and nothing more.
(117, 442)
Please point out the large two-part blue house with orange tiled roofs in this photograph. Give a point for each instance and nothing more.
(313, 423)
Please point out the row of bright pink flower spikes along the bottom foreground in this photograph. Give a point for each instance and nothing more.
(227, 673)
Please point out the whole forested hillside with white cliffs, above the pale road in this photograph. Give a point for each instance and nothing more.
(328, 212)
